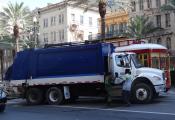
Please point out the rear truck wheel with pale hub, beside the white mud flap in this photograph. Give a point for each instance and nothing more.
(54, 96)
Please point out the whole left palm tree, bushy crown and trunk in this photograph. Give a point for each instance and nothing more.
(17, 18)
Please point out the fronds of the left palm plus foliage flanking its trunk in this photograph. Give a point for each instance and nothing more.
(11, 15)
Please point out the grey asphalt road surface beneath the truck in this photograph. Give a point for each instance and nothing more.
(162, 108)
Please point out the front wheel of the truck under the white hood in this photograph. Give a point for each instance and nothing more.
(142, 93)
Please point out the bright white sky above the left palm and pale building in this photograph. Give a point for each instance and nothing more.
(32, 4)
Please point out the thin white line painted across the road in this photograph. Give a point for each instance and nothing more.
(117, 110)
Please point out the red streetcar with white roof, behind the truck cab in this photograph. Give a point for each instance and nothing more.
(150, 55)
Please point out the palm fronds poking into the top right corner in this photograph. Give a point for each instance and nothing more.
(169, 6)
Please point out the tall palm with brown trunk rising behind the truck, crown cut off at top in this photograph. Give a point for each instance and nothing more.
(103, 6)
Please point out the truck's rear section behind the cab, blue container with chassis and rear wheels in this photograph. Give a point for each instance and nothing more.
(54, 72)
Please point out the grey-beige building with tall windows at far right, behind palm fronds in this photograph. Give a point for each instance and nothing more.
(162, 19)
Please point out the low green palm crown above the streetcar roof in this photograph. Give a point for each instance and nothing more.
(139, 27)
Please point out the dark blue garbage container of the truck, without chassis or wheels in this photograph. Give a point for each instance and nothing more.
(62, 61)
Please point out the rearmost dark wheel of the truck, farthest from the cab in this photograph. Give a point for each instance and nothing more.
(34, 96)
